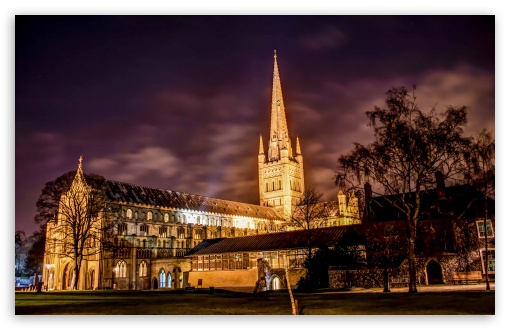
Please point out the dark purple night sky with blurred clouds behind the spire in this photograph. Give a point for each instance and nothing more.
(179, 102)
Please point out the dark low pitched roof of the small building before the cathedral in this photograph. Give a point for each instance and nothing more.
(280, 241)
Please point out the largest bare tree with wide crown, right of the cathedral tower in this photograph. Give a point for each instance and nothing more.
(410, 147)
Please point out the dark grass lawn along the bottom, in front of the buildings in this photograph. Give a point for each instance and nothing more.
(268, 303)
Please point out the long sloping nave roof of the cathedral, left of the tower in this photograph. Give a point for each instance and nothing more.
(132, 193)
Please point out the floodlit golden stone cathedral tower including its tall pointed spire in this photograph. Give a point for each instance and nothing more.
(281, 176)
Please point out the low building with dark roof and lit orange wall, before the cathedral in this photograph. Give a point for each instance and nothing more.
(259, 263)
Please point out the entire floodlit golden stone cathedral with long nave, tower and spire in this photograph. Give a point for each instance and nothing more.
(159, 237)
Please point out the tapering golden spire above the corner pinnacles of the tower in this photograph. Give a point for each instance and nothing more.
(279, 134)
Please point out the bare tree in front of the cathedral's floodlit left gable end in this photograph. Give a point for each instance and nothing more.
(78, 216)
